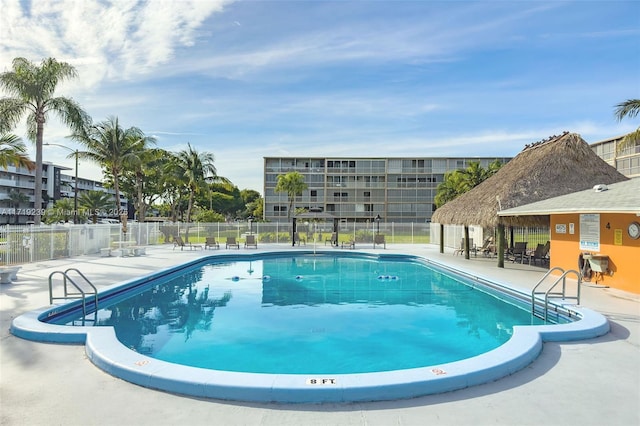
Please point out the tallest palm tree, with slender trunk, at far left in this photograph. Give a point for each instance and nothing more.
(31, 89)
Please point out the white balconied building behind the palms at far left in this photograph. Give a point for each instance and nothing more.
(55, 185)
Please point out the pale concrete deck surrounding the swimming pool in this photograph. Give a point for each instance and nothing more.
(591, 382)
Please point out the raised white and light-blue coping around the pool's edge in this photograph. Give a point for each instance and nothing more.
(106, 352)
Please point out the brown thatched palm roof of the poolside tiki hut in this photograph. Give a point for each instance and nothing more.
(550, 168)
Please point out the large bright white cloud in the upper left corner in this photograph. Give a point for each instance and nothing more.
(115, 40)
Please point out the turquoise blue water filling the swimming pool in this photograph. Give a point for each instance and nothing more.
(311, 314)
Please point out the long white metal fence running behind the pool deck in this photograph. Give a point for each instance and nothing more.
(25, 244)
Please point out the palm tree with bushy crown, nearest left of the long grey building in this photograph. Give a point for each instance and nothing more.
(195, 170)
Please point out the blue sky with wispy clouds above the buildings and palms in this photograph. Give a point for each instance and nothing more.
(249, 79)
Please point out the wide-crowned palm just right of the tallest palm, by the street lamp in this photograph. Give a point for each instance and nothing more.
(114, 148)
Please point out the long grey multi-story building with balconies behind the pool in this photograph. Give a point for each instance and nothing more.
(360, 189)
